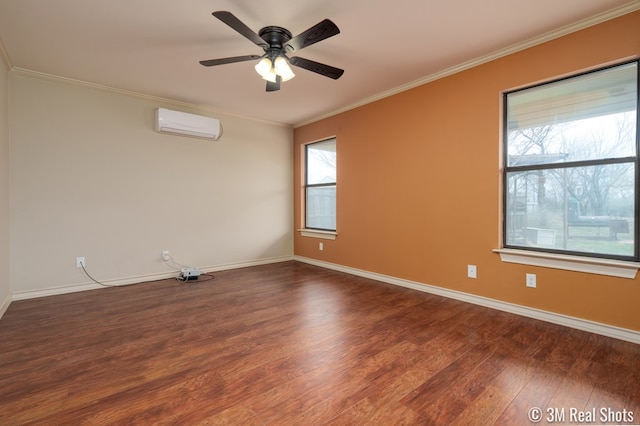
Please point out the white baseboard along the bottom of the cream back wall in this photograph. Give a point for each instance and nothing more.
(140, 279)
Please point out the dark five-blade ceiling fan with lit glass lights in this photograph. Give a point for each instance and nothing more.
(277, 42)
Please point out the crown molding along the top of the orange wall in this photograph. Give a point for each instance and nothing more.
(560, 32)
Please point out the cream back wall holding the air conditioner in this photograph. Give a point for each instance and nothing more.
(90, 177)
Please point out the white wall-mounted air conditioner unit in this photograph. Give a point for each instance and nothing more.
(182, 123)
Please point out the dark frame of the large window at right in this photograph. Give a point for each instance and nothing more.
(567, 255)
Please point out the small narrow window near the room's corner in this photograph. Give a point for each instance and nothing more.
(320, 185)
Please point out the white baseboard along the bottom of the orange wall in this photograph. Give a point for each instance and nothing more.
(552, 317)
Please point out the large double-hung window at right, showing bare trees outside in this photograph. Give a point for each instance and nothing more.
(571, 165)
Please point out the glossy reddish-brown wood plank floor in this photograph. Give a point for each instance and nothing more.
(291, 343)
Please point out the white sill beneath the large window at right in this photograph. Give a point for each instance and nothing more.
(590, 265)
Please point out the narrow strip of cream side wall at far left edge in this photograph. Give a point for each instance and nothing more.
(5, 283)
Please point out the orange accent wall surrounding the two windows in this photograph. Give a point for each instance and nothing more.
(419, 182)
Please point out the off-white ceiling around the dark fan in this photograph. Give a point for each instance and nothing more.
(153, 47)
